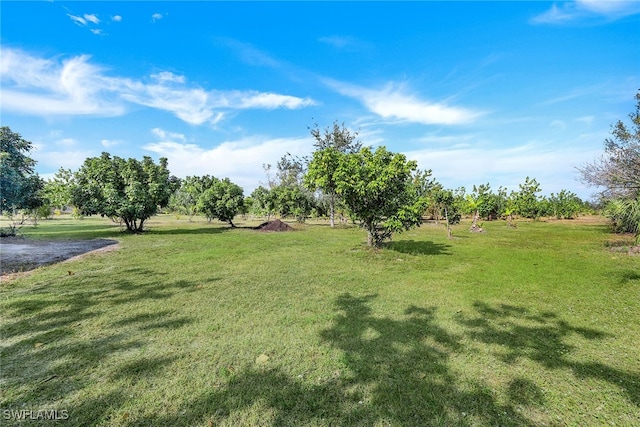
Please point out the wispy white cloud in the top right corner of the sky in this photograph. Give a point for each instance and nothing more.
(577, 10)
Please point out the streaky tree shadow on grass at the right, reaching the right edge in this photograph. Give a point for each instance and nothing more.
(542, 339)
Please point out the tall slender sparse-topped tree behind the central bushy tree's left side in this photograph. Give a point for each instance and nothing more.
(330, 145)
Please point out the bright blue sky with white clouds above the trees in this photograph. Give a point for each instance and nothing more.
(476, 91)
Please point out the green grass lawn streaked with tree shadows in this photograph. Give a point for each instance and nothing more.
(196, 324)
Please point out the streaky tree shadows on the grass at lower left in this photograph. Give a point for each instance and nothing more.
(52, 346)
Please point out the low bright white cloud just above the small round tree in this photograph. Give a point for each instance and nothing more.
(241, 161)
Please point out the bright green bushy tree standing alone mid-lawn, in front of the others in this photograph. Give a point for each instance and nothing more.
(377, 188)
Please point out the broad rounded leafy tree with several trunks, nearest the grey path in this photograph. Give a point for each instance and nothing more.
(128, 190)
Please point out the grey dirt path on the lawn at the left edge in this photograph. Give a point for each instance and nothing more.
(19, 254)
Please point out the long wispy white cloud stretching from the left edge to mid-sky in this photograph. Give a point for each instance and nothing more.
(38, 86)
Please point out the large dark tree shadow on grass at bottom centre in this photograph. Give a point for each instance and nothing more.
(395, 373)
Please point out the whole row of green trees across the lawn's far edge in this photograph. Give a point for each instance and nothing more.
(382, 191)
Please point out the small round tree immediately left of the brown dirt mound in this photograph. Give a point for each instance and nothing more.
(222, 200)
